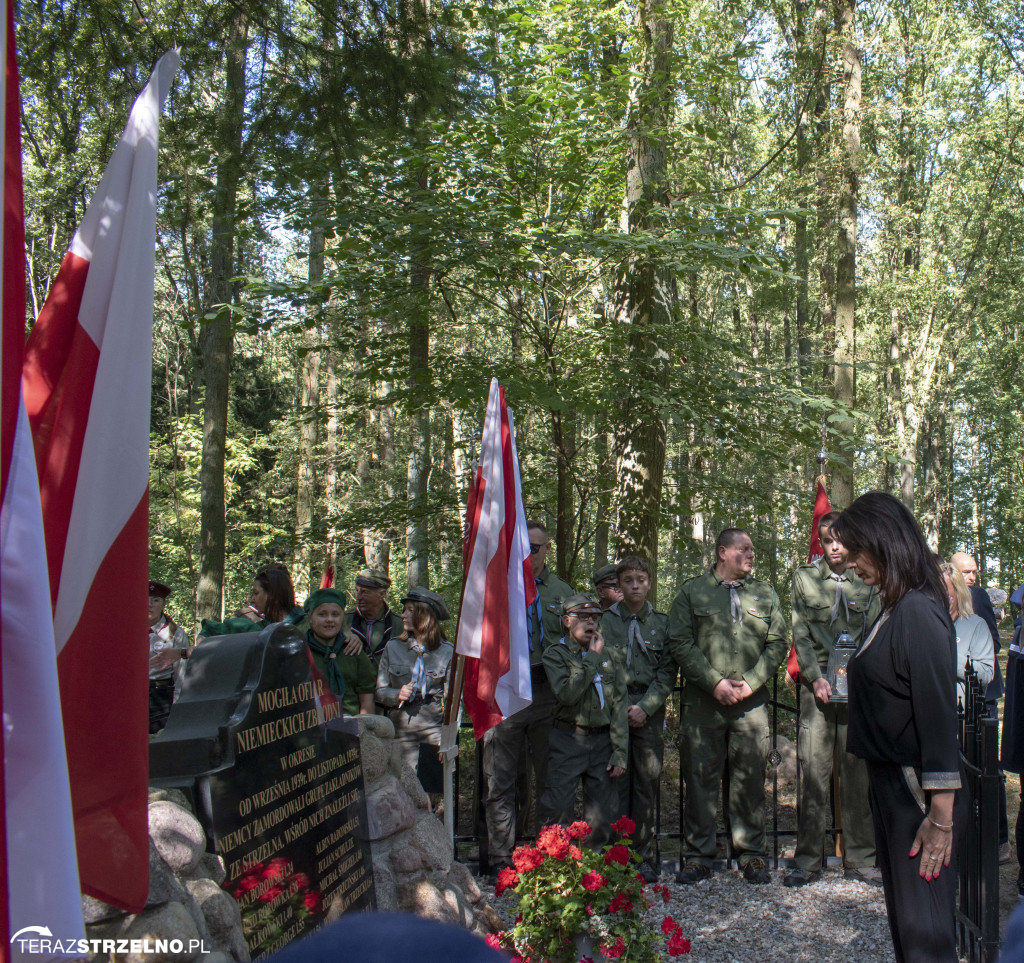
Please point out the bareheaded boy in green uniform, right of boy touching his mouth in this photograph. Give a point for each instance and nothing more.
(639, 636)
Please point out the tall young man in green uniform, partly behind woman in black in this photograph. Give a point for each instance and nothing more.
(829, 600)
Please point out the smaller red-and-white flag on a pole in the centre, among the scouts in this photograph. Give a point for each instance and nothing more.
(499, 579)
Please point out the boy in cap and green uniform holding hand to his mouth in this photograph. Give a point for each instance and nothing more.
(589, 735)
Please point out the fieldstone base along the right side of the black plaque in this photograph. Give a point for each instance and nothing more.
(414, 870)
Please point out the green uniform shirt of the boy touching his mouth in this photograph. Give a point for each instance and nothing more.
(571, 673)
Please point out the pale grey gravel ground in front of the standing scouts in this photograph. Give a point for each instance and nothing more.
(728, 920)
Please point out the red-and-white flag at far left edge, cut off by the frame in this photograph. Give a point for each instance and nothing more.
(38, 870)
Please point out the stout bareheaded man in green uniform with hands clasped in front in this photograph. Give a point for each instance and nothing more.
(729, 637)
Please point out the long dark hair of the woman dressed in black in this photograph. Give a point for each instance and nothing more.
(884, 528)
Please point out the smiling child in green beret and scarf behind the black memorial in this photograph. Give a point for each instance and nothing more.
(352, 679)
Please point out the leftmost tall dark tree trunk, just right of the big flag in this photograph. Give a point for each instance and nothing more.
(218, 337)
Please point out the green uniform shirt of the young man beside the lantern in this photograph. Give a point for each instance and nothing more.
(814, 629)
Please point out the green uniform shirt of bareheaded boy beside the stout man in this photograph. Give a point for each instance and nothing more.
(650, 666)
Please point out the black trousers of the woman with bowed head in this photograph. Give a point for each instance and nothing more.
(921, 913)
